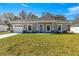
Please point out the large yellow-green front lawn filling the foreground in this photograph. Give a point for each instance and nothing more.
(40, 45)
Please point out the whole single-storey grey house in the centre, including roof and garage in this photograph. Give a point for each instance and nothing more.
(39, 25)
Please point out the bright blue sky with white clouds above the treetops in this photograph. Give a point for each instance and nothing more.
(69, 10)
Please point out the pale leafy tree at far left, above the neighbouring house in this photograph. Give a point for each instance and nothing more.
(7, 17)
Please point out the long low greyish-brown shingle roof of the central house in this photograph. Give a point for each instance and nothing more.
(38, 20)
